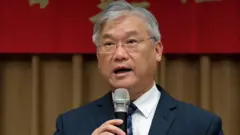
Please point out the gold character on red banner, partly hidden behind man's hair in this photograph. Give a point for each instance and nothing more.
(105, 3)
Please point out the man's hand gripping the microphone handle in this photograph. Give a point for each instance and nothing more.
(109, 128)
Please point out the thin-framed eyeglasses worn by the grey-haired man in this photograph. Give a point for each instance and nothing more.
(129, 45)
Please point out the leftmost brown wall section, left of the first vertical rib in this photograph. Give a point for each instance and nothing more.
(16, 102)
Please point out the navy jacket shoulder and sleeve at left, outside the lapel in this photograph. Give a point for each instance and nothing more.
(77, 119)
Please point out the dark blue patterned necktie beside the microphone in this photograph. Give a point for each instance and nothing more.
(131, 109)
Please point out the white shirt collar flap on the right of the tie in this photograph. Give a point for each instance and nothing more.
(148, 101)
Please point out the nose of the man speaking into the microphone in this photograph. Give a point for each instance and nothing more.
(120, 53)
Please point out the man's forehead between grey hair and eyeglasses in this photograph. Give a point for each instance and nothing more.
(124, 26)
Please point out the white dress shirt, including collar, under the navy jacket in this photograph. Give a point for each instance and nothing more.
(147, 104)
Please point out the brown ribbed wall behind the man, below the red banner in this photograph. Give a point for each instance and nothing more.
(35, 89)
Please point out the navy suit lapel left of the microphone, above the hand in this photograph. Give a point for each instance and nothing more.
(104, 111)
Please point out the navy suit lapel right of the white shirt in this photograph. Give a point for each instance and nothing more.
(164, 115)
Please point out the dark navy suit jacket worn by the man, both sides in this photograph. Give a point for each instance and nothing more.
(172, 117)
